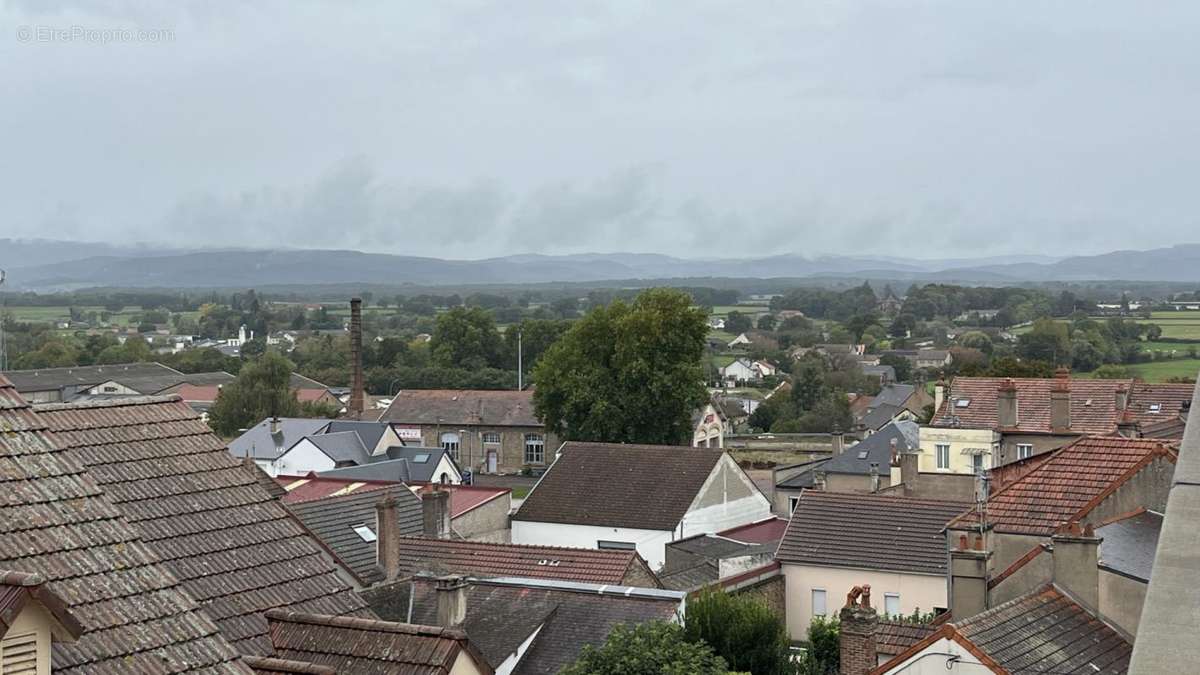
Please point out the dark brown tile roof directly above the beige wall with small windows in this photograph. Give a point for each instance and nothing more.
(868, 533)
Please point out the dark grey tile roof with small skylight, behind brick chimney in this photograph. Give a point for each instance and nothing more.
(333, 521)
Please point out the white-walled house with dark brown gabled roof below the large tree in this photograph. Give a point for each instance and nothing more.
(638, 498)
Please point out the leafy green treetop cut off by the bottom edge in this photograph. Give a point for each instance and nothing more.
(650, 649)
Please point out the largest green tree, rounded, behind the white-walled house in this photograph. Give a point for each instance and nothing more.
(627, 373)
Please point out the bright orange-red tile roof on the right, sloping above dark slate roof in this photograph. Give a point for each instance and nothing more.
(1069, 485)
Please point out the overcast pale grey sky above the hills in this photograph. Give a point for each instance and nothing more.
(927, 129)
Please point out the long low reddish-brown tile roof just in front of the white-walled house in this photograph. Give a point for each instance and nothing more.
(488, 559)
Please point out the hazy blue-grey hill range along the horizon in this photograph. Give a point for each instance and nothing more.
(44, 266)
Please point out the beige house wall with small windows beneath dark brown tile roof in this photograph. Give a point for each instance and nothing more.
(922, 592)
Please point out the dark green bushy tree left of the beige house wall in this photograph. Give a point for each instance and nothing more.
(742, 631)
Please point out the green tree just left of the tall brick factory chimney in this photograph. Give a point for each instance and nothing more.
(262, 390)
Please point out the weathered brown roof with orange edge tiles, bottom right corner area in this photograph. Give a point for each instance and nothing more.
(1046, 632)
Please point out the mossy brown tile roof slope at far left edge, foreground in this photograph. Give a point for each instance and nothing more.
(57, 522)
